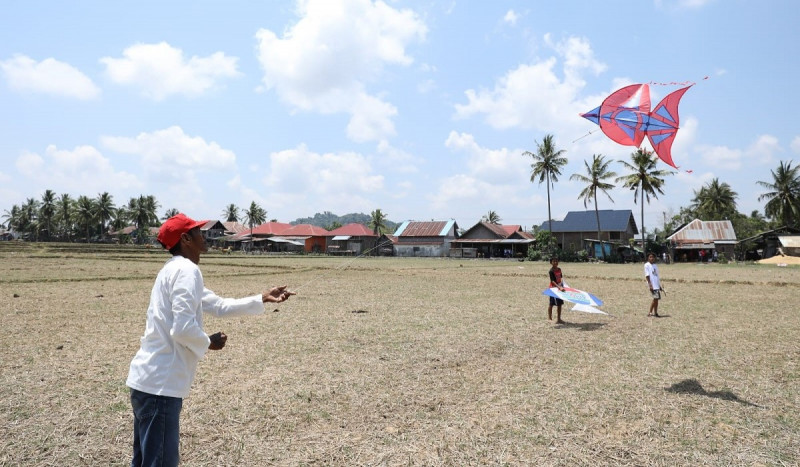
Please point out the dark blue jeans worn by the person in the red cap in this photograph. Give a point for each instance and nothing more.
(155, 429)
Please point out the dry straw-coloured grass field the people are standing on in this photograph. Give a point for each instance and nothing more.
(384, 361)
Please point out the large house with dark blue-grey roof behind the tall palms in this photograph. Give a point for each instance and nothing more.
(578, 230)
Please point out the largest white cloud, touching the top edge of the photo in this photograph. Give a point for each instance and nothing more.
(324, 62)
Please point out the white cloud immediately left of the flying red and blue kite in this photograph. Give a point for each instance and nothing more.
(532, 96)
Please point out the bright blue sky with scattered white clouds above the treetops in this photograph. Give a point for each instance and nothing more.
(419, 108)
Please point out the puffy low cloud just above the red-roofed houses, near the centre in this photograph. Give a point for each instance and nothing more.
(300, 177)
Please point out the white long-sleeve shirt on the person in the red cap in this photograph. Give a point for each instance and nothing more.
(174, 340)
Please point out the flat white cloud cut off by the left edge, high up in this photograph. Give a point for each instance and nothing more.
(48, 77)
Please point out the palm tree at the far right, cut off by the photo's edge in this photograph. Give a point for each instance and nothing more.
(783, 197)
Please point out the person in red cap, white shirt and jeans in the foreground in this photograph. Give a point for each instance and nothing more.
(162, 371)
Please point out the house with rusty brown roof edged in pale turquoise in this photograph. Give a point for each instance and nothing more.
(425, 238)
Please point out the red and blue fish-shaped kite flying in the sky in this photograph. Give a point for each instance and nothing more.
(628, 125)
